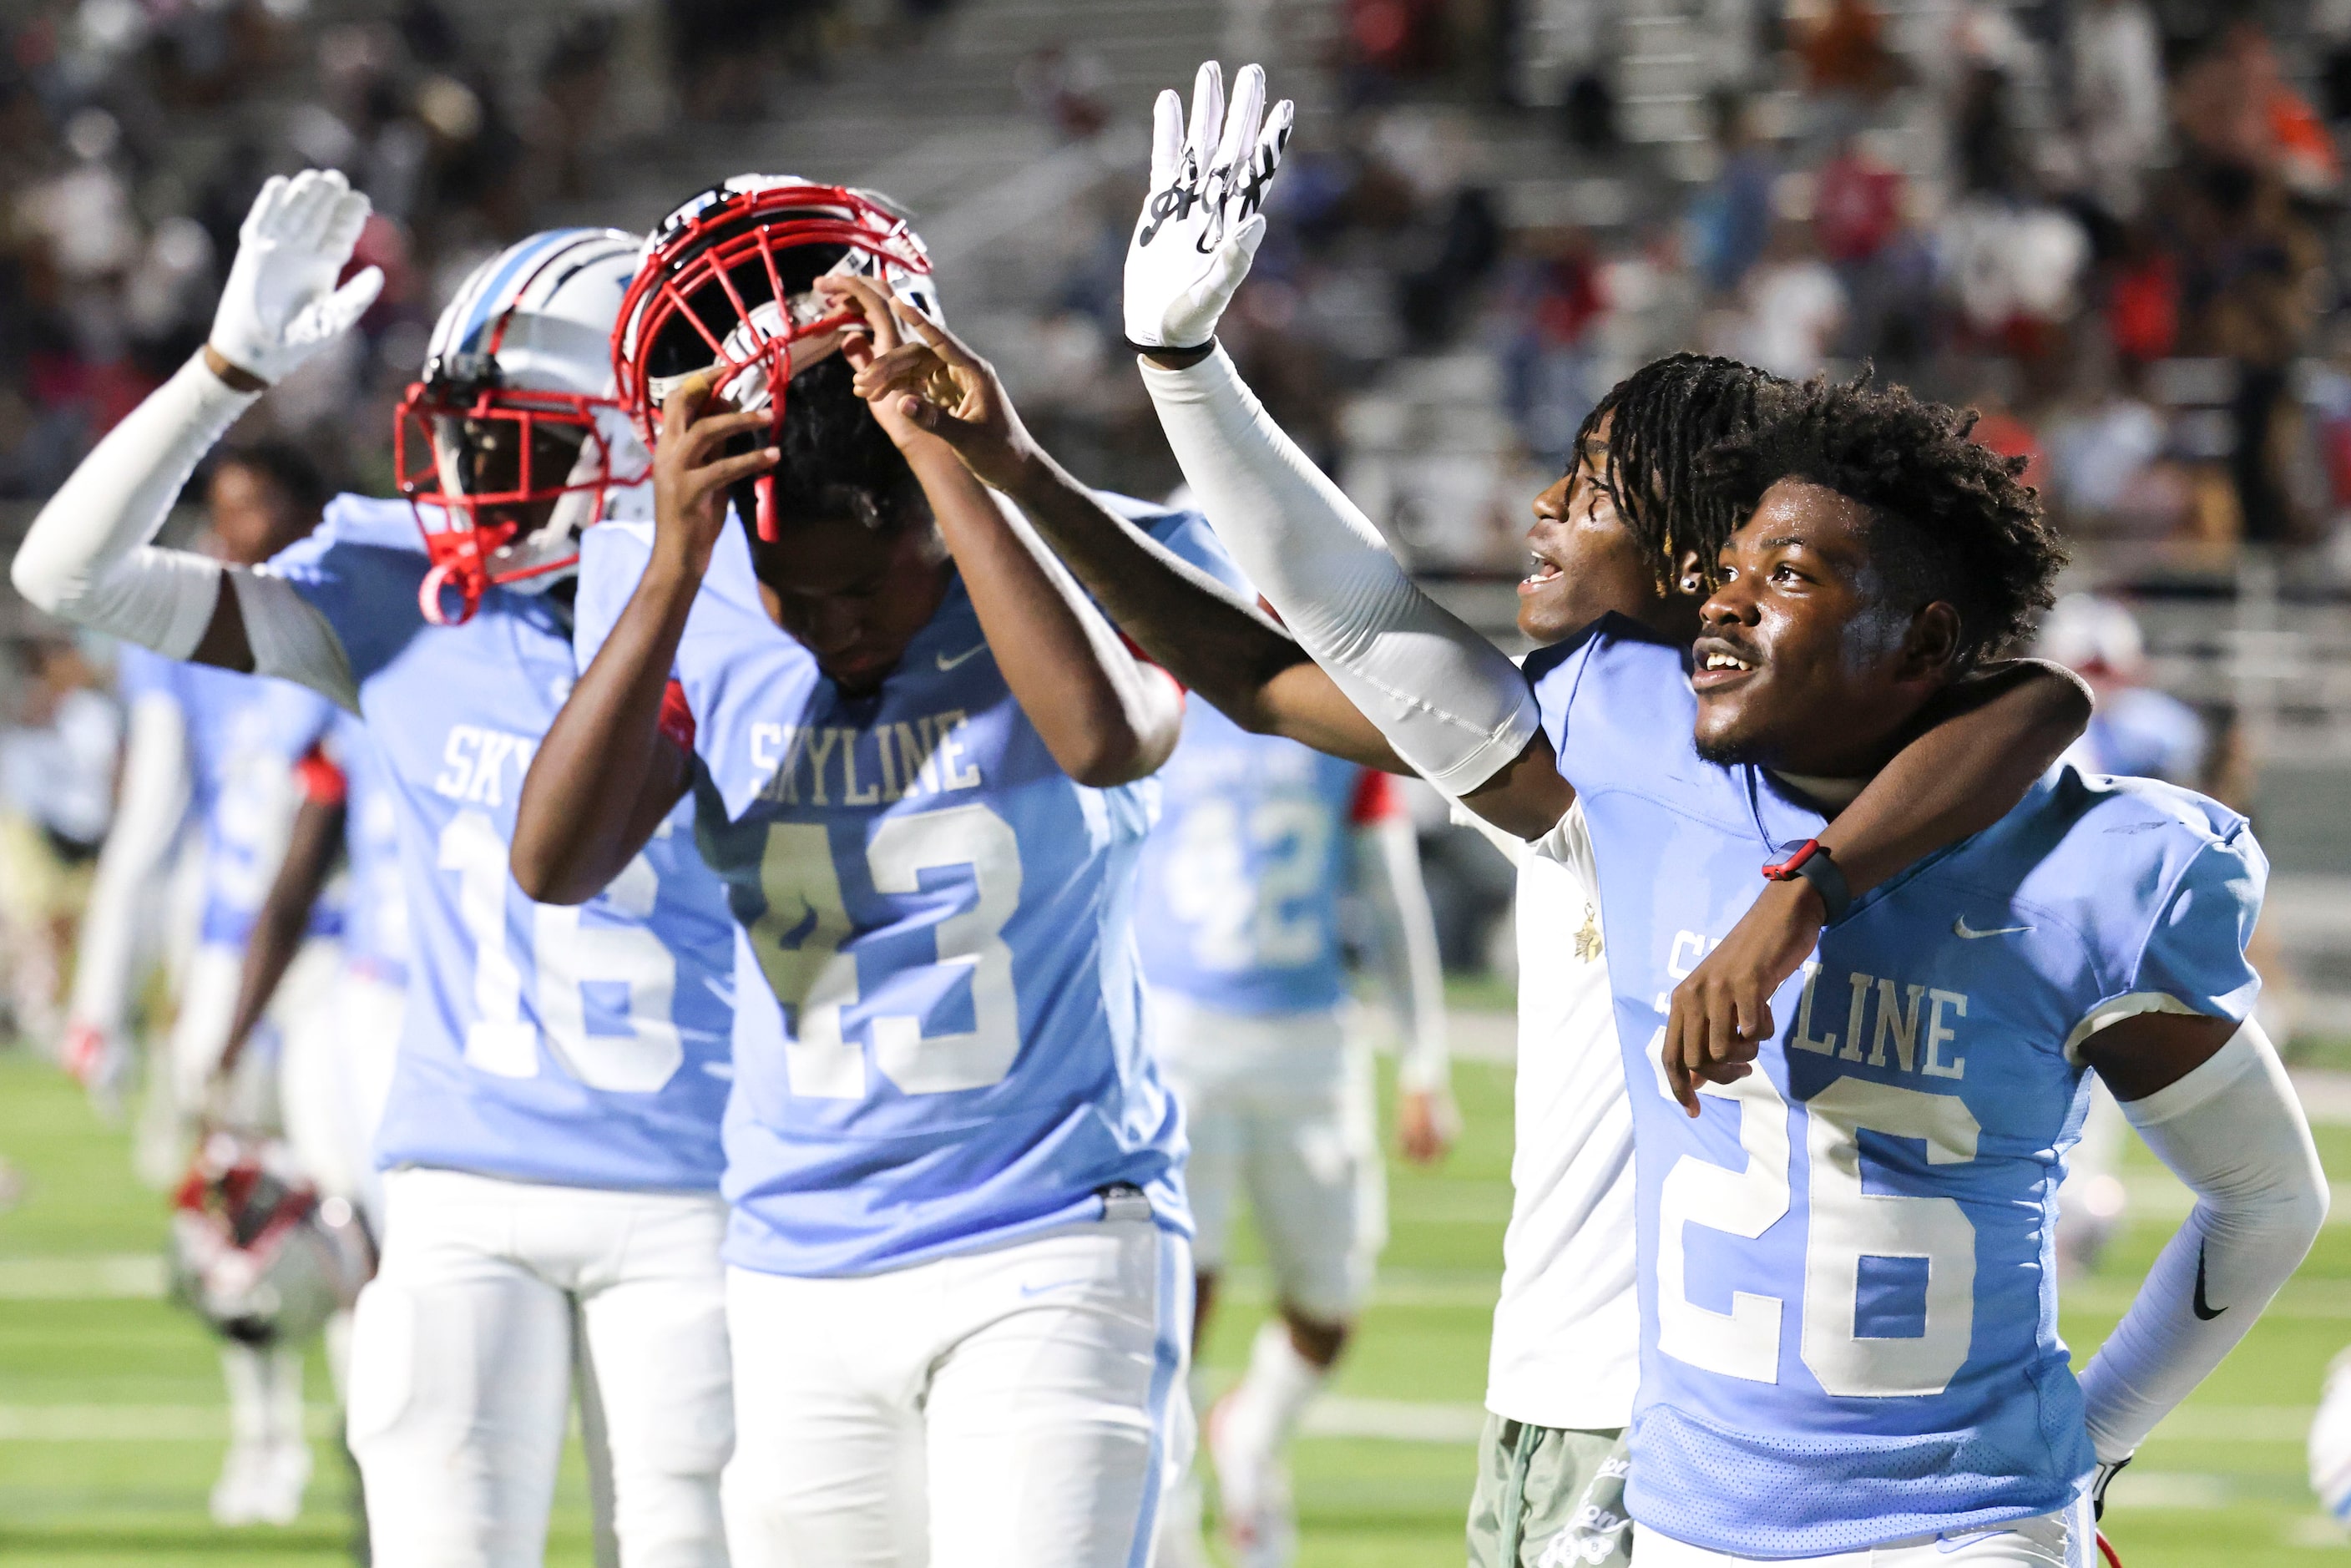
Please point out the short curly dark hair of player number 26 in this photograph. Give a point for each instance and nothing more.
(1953, 521)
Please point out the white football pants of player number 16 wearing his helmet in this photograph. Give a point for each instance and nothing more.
(462, 1365)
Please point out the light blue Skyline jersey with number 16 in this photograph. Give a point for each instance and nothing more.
(558, 1045)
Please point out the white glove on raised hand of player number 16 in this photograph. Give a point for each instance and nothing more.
(281, 304)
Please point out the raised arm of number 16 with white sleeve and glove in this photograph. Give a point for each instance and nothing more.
(88, 556)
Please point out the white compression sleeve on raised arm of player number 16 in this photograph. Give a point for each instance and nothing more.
(88, 554)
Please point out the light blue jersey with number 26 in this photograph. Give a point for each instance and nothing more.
(1849, 1292)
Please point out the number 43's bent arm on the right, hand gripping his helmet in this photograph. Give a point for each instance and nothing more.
(1106, 716)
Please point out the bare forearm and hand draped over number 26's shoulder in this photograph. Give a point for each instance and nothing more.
(1985, 744)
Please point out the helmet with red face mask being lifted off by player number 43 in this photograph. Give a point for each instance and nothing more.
(730, 281)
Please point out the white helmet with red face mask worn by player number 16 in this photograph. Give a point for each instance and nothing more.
(516, 410)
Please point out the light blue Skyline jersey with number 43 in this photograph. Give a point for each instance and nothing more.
(939, 1019)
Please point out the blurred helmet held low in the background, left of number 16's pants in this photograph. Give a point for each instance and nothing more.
(257, 1252)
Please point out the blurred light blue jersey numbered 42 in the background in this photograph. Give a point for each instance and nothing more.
(1243, 880)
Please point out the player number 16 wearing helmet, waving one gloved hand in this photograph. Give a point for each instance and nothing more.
(551, 1144)
